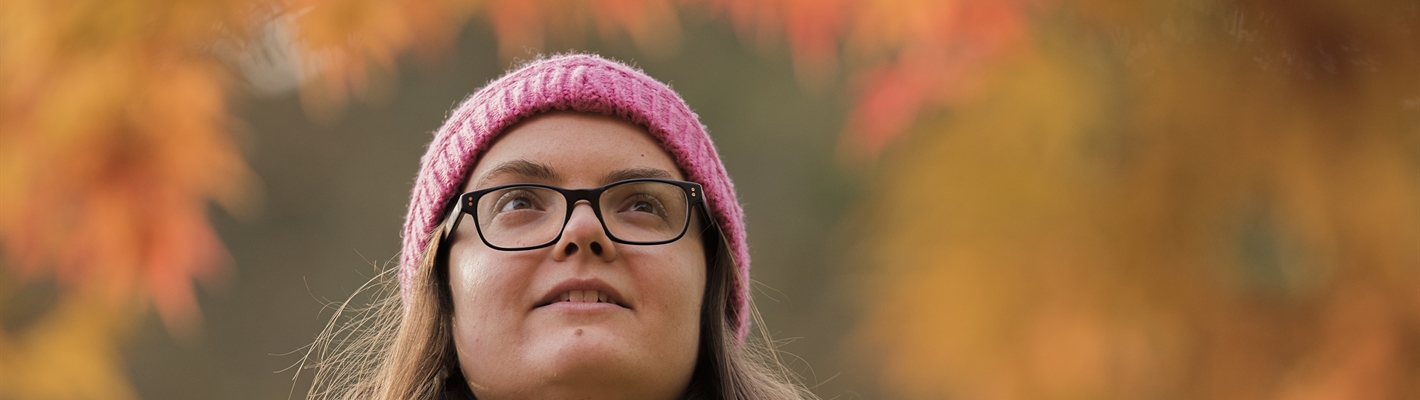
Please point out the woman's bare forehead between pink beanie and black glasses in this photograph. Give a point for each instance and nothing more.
(573, 151)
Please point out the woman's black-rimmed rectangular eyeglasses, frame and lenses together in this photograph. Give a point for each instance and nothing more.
(530, 216)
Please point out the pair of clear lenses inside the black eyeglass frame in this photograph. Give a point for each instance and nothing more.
(637, 212)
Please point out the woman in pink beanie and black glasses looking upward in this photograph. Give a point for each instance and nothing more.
(573, 235)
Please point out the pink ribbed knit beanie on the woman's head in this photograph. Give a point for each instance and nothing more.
(586, 84)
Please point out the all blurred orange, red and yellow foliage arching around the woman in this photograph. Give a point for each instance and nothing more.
(1164, 199)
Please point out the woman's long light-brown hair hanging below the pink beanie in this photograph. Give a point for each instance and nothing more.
(388, 352)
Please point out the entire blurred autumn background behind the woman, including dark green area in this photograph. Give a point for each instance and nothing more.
(968, 199)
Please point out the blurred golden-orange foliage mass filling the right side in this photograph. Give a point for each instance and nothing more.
(1165, 201)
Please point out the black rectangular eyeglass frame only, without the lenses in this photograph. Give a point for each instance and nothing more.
(466, 204)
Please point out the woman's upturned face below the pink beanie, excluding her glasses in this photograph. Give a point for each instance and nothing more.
(512, 343)
